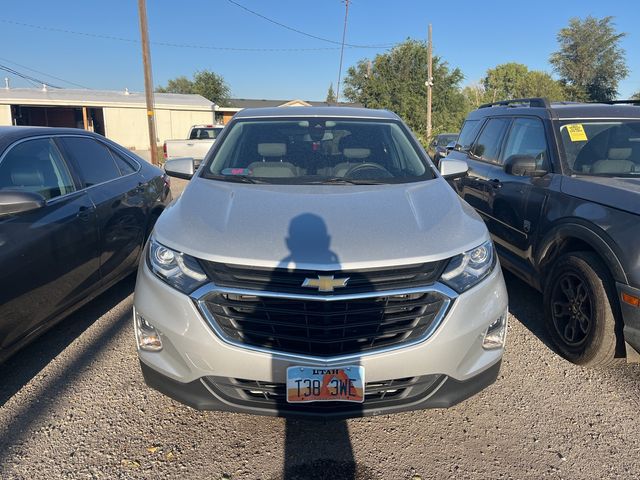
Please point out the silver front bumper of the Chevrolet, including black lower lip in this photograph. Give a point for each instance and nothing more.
(196, 366)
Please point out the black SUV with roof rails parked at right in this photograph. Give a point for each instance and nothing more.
(558, 185)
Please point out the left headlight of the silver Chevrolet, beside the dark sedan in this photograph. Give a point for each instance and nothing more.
(177, 269)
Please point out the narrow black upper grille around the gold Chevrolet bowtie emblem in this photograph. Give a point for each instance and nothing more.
(290, 281)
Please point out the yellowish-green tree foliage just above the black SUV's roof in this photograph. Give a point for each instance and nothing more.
(514, 80)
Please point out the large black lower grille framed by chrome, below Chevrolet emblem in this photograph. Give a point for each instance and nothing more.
(324, 328)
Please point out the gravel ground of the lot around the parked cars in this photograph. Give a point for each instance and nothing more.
(74, 405)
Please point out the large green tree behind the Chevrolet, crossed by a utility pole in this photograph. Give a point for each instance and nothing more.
(395, 80)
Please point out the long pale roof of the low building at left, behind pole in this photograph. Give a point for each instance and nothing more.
(101, 98)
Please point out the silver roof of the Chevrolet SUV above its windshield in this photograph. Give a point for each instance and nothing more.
(337, 111)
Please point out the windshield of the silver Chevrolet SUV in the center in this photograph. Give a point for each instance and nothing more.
(317, 150)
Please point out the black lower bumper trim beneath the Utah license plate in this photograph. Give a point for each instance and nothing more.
(437, 391)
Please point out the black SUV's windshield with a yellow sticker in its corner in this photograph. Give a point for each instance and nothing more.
(602, 147)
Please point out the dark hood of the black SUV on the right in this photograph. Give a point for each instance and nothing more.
(620, 193)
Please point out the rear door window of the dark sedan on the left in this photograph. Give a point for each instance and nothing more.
(95, 163)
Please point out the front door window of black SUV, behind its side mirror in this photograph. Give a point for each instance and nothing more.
(527, 138)
